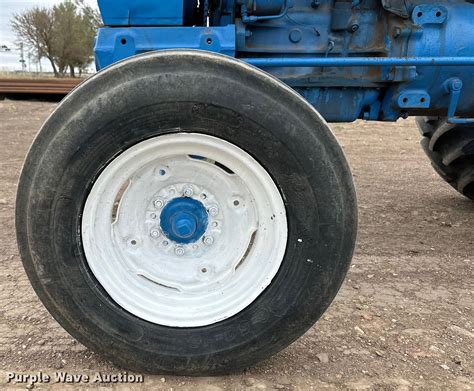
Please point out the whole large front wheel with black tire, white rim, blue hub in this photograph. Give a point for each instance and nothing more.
(136, 113)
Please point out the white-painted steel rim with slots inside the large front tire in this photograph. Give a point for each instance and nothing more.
(127, 244)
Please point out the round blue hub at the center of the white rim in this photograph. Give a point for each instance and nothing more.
(184, 220)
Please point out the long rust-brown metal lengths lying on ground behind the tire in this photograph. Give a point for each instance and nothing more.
(38, 86)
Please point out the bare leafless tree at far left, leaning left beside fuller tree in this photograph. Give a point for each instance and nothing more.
(35, 28)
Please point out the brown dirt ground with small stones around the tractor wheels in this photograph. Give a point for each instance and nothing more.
(403, 319)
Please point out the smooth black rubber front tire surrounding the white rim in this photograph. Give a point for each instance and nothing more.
(159, 94)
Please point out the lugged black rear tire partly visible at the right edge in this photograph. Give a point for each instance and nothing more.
(450, 147)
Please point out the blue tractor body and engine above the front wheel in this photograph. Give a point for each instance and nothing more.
(370, 59)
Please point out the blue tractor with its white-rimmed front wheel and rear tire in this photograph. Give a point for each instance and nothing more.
(187, 209)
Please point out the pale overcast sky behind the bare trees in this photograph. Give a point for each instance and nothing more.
(9, 61)
